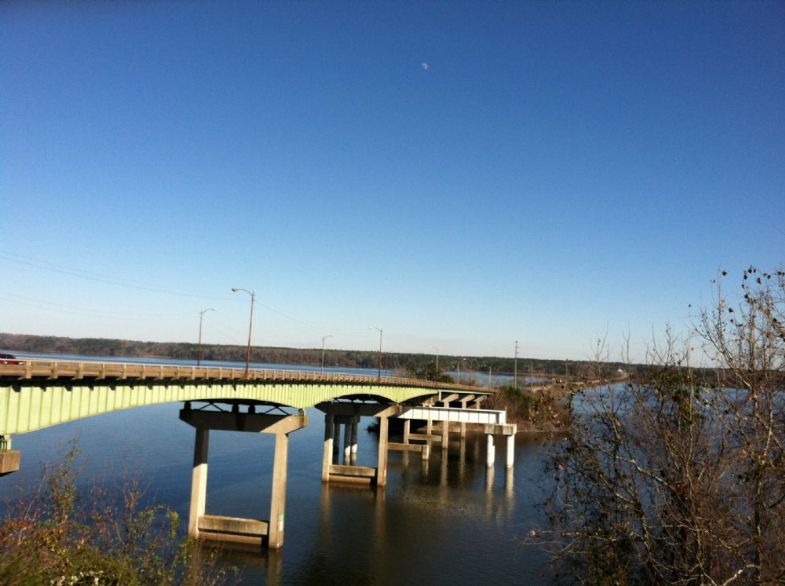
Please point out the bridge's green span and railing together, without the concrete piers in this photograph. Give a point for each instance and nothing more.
(39, 393)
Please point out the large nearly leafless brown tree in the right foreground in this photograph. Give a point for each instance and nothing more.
(677, 481)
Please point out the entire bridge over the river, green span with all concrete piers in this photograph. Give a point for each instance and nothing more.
(36, 394)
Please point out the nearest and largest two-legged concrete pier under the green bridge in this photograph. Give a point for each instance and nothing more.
(268, 533)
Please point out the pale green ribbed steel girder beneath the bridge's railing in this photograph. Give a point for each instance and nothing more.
(28, 406)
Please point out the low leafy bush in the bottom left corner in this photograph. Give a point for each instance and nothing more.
(59, 535)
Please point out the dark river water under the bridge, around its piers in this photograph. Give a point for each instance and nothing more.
(448, 523)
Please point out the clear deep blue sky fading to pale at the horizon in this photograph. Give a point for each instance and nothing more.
(462, 174)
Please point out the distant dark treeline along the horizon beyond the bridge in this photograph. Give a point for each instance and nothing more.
(310, 356)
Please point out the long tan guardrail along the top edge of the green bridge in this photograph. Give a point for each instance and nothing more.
(78, 370)
